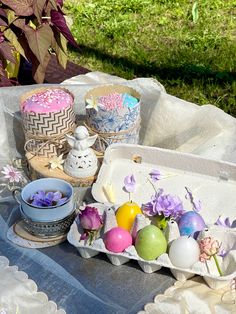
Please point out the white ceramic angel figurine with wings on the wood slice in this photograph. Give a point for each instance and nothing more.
(81, 161)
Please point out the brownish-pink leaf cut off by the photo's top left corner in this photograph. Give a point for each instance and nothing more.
(21, 7)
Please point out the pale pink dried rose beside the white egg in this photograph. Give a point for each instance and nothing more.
(208, 247)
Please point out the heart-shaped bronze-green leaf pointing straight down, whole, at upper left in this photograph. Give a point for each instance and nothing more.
(39, 41)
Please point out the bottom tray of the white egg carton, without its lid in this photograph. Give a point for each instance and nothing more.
(207, 270)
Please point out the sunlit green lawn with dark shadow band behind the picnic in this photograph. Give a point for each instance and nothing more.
(150, 38)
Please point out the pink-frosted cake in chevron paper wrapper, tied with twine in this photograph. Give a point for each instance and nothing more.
(47, 115)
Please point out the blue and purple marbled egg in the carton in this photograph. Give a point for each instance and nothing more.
(190, 222)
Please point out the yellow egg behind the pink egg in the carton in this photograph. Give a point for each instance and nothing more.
(126, 214)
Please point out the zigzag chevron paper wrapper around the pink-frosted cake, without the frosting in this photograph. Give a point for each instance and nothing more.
(44, 131)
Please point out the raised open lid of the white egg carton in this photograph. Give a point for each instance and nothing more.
(212, 182)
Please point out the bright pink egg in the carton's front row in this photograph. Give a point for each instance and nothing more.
(117, 239)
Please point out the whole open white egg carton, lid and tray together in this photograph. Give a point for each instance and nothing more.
(213, 182)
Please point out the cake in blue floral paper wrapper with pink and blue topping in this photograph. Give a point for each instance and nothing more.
(116, 122)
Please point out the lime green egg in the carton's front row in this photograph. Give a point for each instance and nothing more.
(150, 243)
